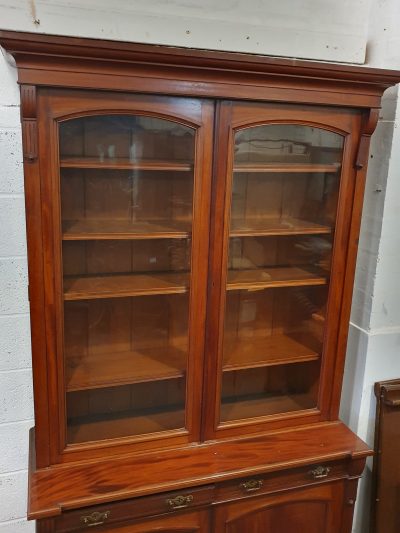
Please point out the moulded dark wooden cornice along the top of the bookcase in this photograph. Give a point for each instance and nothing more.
(31, 47)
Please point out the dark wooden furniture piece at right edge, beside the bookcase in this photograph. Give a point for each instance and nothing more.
(385, 516)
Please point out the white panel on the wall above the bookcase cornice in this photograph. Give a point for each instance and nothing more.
(314, 29)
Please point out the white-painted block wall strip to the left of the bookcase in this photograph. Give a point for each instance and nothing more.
(16, 399)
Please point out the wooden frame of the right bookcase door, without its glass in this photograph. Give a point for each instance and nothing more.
(348, 124)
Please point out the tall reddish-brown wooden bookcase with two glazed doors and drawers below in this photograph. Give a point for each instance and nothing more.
(192, 227)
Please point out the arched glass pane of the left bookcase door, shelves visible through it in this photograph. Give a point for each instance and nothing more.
(126, 207)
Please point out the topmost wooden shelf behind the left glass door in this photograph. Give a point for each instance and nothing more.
(125, 164)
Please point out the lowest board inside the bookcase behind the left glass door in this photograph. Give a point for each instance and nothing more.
(126, 424)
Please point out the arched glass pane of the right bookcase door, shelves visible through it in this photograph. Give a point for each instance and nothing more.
(283, 209)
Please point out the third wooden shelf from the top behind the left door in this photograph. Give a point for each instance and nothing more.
(121, 285)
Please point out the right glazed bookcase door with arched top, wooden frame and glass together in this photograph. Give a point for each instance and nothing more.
(282, 233)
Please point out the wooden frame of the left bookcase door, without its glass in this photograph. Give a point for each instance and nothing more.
(58, 105)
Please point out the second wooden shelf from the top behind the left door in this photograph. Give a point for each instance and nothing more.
(79, 230)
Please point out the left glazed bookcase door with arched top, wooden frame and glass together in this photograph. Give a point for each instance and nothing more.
(130, 194)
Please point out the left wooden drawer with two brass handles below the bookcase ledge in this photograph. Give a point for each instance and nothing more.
(111, 514)
